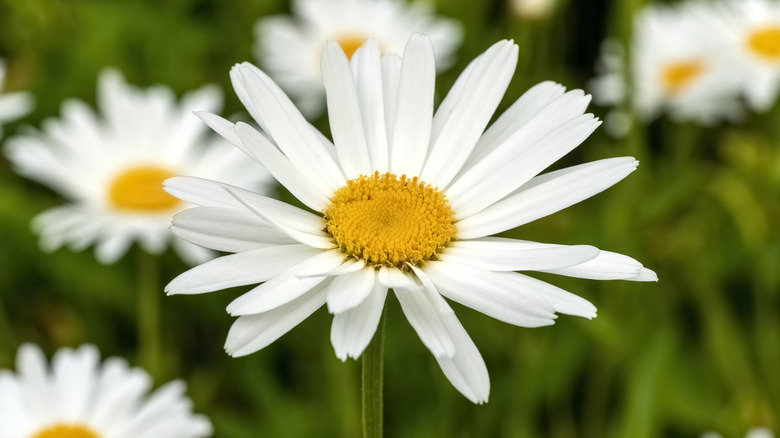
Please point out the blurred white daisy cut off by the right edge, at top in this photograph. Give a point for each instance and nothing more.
(755, 46)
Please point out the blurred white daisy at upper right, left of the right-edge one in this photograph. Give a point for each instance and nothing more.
(676, 65)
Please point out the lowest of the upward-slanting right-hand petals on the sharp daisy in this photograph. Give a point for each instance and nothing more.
(547, 194)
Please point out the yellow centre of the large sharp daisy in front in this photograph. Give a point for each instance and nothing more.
(391, 221)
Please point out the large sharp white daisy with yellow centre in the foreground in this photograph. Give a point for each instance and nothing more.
(403, 199)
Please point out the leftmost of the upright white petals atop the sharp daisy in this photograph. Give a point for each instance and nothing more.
(346, 123)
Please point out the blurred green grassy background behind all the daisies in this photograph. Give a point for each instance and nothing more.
(700, 350)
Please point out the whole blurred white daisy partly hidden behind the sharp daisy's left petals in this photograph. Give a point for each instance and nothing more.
(111, 167)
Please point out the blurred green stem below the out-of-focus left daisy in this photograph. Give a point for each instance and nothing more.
(149, 313)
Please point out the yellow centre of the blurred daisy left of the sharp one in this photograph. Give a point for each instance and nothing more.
(140, 189)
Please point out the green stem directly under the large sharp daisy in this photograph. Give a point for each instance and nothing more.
(373, 368)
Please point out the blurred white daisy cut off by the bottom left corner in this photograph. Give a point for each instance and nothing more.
(80, 397)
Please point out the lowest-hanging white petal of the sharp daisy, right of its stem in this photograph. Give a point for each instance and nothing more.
(466, 370)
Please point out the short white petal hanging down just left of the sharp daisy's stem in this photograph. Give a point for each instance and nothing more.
(352, 330)
